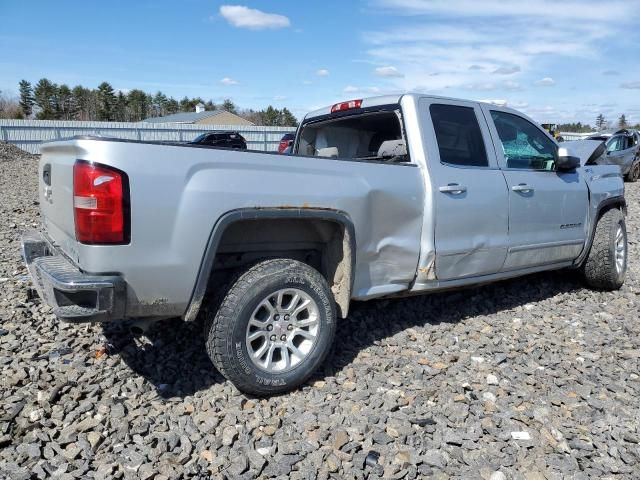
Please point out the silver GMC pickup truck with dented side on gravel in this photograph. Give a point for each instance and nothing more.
(382, 197)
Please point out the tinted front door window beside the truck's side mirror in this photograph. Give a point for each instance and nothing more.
(525, 146)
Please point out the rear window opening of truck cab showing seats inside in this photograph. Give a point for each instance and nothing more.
(376, 135)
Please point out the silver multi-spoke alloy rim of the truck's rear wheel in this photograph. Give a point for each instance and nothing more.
(282, 330)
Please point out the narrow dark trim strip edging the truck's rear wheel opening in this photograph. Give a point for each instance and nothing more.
(206, 264)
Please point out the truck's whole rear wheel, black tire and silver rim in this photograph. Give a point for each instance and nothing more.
(273, 328)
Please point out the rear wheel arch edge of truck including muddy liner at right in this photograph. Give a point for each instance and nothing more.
(341, 218)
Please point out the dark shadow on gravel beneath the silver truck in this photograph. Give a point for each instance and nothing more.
(171, 355)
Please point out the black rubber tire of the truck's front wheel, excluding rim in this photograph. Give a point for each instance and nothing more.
(599, 269)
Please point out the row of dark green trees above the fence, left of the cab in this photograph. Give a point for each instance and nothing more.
(47, 100)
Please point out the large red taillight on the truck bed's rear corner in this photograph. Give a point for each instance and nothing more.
(100, 204)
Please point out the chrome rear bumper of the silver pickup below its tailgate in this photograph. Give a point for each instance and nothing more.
(74, 296)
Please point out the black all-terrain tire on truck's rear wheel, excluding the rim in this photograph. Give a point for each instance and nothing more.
(226, 326)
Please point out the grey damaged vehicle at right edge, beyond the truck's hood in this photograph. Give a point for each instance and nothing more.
(622, 149)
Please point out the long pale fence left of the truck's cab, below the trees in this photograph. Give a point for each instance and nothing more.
(29, 134)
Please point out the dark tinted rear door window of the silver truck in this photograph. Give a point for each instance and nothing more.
(459, 137)
